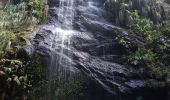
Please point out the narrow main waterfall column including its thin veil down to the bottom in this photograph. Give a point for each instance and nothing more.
(61, 71)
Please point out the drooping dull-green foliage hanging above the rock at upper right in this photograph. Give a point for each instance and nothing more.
(120, 10)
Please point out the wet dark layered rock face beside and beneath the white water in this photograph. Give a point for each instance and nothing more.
(94, 50)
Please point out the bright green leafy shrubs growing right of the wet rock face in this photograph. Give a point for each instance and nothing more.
(150, 35)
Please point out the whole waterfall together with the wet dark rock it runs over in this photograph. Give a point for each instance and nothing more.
(77, 39)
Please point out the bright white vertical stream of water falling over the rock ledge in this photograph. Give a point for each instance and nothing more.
(63, 32)
